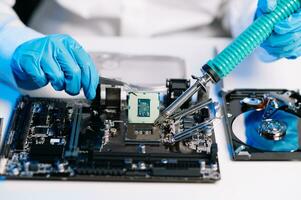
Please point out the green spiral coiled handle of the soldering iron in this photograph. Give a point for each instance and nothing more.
(251, 38)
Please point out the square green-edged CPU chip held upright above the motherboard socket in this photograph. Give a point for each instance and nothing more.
(144, 107)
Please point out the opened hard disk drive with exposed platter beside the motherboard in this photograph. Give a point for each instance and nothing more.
(263, 124)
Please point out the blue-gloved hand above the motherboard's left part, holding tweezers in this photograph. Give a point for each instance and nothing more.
(57, 59)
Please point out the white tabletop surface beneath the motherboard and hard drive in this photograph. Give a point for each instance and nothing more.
(239, 180)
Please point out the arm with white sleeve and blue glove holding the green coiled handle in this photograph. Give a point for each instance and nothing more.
(284, 42)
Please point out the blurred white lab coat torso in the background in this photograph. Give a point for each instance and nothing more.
(143, 18)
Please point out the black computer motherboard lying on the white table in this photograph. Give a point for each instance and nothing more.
(112, 138)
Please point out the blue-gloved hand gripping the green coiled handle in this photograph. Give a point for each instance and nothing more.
(285, 41)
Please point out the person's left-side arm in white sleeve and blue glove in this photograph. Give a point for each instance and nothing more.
(36, 59)
